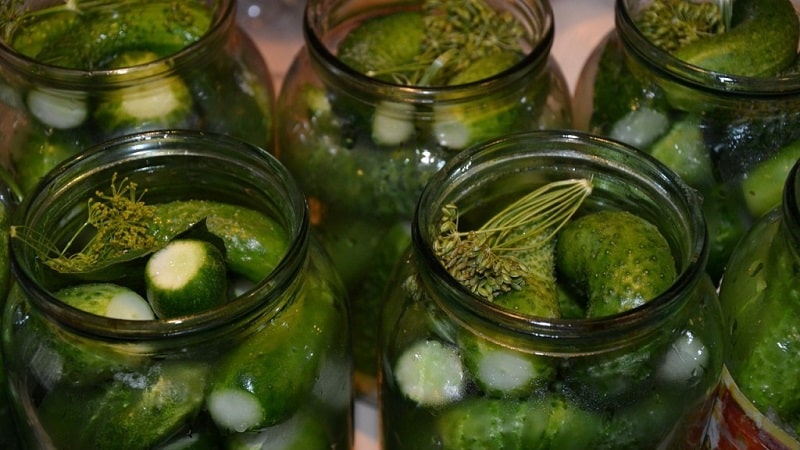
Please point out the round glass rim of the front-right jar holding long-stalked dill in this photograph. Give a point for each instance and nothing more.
(562, 155)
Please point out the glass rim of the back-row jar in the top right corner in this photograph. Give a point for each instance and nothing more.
(696, 77)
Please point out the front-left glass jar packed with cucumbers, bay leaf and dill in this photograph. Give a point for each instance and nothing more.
(271, 364)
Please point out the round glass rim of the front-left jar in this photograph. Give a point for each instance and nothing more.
(147, 148)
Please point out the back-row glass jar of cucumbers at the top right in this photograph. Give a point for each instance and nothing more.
(732, 137)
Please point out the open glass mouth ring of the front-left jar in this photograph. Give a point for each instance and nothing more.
(179, 154)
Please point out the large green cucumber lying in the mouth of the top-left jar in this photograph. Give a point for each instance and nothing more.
(99, 33)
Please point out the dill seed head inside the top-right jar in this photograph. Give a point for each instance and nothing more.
(671, 24)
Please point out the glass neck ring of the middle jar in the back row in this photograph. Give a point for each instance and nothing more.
(323, 20)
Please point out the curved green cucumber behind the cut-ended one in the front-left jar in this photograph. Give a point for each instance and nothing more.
(254, 243)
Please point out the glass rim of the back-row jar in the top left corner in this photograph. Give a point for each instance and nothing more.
(223, 18)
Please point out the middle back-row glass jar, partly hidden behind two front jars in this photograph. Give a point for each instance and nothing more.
(362, 148)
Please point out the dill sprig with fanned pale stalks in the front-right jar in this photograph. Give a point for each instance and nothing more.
(484, 260)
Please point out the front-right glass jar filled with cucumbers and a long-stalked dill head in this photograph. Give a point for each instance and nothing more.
(555, 297)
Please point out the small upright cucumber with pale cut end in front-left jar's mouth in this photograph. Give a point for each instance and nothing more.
(185, 277)
